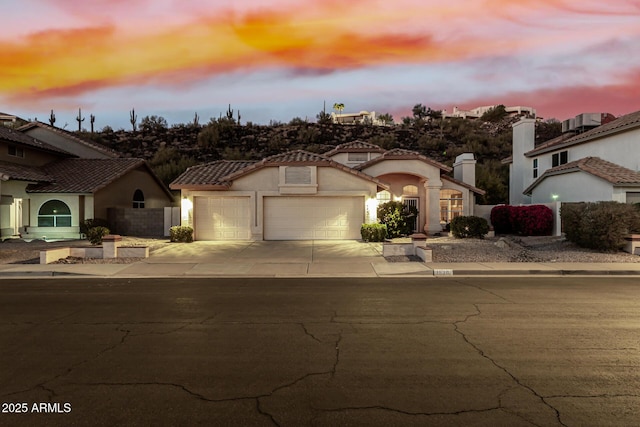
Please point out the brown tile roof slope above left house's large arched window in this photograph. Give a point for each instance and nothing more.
(83, 175)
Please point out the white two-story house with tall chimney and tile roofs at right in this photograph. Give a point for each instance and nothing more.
(596, 165)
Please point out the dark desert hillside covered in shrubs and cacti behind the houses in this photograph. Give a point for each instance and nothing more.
(172, 149)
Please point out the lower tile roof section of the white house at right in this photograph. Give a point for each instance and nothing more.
(610, 172)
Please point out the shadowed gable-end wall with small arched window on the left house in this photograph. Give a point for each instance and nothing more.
(119, 194)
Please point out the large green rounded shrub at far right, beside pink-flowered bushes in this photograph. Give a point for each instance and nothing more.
(601, 225)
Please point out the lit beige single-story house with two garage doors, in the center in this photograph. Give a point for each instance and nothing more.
(300, 195)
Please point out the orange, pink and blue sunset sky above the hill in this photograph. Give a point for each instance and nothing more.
(280, 59)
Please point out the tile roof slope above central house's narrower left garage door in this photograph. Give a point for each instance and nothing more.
(209, 174)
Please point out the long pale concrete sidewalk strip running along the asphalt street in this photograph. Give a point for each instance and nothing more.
(258, 268)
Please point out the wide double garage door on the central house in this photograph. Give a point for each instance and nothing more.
(306, 218)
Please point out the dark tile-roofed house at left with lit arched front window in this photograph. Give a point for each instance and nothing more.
(47, 191)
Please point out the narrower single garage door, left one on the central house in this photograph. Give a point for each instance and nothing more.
(222, 218)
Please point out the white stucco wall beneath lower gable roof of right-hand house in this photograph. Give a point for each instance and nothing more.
(572, 187)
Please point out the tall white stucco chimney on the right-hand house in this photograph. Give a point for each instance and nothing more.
(520, 172)
